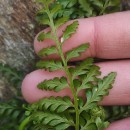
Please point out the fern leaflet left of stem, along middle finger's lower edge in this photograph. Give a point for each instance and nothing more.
(58, 104)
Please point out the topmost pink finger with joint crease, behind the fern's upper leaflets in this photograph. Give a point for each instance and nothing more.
(108, 35)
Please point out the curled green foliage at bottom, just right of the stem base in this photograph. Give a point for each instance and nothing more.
(95, 118)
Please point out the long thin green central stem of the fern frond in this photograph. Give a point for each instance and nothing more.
(59, 48)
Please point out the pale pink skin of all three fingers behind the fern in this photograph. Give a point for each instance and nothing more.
(109, 38)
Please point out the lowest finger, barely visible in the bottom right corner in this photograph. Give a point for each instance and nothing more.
(120, 125)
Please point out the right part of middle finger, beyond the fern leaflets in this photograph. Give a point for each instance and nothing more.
(120, 93)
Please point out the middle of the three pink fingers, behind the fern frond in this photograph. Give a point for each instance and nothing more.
(119, 94)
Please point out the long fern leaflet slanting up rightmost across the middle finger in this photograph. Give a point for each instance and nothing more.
(97, 93)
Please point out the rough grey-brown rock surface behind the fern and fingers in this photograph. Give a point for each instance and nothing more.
(17, 27)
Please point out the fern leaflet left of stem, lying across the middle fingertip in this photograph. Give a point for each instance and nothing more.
(56, 84)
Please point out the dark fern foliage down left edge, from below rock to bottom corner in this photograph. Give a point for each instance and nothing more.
(12, 112)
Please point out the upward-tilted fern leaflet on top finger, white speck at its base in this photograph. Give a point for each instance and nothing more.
(70, 30)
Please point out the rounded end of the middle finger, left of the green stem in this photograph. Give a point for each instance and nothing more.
(29, 86)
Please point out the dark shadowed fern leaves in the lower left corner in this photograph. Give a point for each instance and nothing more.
(11, 114)
